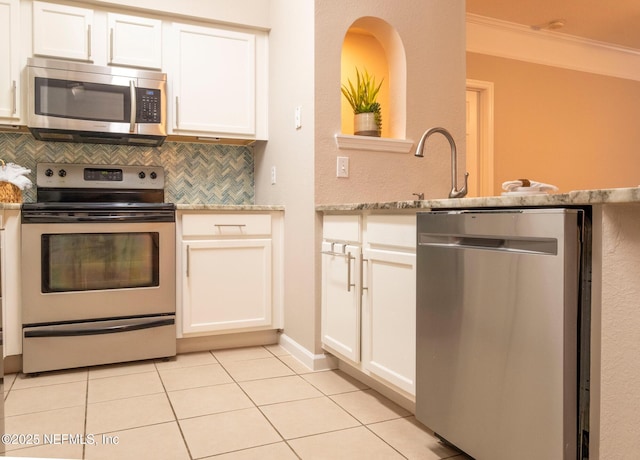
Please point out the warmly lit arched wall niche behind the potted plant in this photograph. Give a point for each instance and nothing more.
(373, 44)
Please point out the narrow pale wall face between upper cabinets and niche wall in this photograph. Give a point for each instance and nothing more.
(291, 152)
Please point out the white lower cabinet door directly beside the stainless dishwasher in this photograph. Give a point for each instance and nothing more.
(389, 316)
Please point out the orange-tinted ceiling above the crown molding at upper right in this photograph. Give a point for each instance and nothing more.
(613, 21)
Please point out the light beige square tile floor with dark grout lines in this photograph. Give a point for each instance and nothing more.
(238, 404)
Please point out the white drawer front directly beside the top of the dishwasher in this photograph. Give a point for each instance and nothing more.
(398, 230)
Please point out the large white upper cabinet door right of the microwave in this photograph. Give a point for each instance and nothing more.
(215, 81)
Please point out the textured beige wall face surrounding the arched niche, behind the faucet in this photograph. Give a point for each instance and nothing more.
(433, 34)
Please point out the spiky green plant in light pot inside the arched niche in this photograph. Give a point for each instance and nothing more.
(362, 98)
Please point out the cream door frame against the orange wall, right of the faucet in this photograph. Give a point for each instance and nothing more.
(485, 130)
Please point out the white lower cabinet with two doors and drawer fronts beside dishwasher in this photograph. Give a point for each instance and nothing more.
(368, 295)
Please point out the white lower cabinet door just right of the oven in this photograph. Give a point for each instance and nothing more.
(226, 285)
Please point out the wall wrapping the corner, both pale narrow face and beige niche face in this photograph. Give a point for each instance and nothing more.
(305, 53)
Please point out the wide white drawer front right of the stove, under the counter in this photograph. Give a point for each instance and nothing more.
(226, 224)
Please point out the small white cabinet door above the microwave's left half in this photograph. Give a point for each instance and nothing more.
(62, 31)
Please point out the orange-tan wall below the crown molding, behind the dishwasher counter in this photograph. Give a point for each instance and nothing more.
(576, 130)
